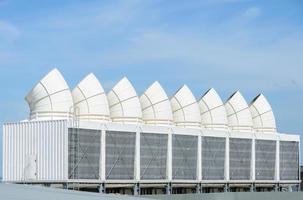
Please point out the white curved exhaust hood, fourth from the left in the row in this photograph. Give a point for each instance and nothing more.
(156, 108)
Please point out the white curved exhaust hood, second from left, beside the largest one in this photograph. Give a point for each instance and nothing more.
(90, 101)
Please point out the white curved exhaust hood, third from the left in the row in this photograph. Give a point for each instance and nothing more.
(124, 103)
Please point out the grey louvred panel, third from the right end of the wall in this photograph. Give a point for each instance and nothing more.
(240, 158)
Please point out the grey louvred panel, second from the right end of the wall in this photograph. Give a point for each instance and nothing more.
(265, 159)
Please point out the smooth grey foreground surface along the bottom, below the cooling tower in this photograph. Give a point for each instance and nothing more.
(27, 192)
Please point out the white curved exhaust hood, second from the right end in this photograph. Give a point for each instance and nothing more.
(238, 113)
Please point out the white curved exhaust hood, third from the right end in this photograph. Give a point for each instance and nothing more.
(213, 113)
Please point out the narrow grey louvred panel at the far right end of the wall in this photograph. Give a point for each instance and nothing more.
(289, 160)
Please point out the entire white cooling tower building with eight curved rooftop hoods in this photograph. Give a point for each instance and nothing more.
(124, 143)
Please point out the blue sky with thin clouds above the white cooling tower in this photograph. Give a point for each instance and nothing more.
(251, 46)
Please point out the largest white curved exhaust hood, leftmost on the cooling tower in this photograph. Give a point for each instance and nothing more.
(50, 98)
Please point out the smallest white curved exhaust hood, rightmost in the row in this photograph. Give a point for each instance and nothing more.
(262, 114)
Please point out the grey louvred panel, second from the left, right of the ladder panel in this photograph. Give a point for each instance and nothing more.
(120, 155)
